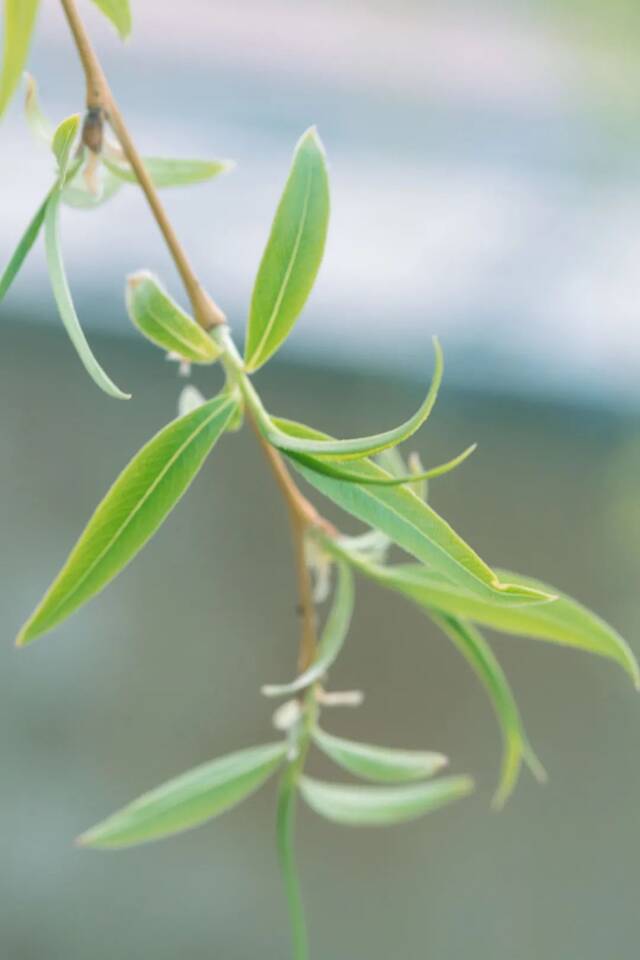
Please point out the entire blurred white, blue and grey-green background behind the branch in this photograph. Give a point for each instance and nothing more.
(484, 161)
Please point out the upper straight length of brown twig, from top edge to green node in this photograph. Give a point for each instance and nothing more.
(100, 97)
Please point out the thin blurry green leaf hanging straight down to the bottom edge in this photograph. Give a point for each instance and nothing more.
(285, 832)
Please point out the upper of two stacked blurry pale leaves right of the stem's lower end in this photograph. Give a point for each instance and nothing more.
(379, 763)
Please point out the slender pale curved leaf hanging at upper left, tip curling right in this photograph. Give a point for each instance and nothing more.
(64, 301)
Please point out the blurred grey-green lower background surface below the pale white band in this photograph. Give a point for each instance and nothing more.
(163, 671)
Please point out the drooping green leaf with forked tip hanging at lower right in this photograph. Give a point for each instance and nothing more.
(478, 653)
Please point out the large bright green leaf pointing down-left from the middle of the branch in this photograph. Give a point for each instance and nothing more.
(131, 512)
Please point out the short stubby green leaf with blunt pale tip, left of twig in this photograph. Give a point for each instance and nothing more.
(163, 322)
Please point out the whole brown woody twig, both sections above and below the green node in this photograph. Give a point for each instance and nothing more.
(302, 513)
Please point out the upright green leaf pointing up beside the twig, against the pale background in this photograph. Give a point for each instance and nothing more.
(293, 253)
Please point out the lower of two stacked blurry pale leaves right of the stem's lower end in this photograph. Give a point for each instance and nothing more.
(381, 806)
